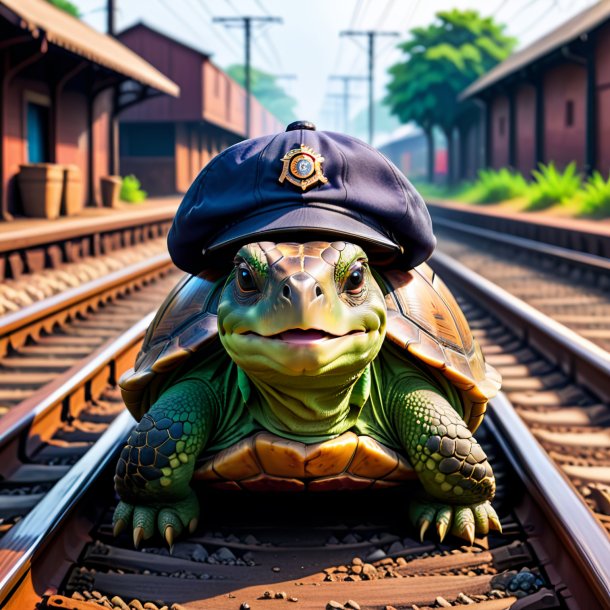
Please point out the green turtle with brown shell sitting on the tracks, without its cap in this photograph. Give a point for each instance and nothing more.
(305, 368)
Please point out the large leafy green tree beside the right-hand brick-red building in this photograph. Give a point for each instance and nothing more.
(441, 60)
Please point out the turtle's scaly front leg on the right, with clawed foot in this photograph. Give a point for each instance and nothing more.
(451, 465)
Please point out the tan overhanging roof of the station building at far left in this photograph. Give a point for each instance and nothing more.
(65, 31)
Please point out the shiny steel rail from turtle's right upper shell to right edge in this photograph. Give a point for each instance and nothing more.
(584, 361)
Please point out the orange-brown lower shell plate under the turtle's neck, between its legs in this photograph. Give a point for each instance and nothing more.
(266, 462)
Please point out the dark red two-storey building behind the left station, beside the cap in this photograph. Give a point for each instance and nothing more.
(166, 142)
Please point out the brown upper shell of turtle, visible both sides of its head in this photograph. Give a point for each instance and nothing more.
(423, 319)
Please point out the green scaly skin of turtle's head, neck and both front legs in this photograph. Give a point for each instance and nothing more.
(303, 322)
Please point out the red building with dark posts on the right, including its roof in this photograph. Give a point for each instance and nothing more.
(547, 102)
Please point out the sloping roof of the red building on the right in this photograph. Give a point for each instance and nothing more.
(582, 23)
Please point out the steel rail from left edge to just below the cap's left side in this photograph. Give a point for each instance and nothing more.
(39, 311)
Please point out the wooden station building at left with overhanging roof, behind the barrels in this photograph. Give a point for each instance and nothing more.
(63, 84)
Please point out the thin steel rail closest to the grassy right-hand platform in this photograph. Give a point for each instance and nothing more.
(574, 257)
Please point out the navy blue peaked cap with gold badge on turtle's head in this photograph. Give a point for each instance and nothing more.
(253, 191)
